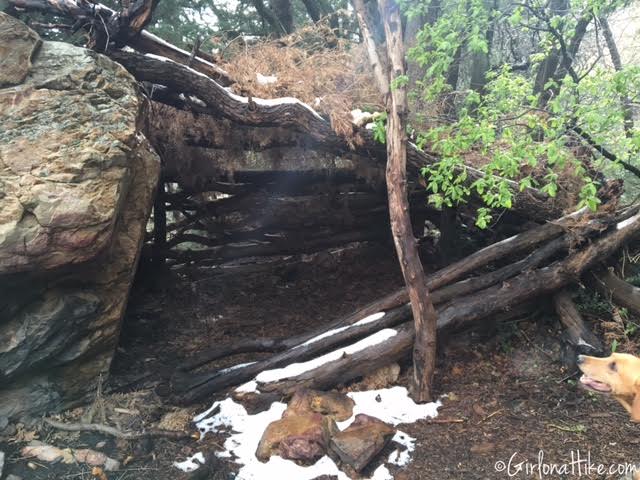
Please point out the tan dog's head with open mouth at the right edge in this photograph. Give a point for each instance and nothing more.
(617, 374)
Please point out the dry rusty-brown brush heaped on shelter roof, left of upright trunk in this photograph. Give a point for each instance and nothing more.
(332, 75)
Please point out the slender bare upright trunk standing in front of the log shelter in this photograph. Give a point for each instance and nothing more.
(424, 314)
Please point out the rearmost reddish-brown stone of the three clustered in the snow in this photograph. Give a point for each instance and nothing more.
(332, 404)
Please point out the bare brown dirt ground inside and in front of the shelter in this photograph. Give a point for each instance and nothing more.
(506, 395)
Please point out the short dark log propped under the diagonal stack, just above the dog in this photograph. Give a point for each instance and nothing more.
(579, 335)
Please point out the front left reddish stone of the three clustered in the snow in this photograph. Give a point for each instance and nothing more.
(303, 438)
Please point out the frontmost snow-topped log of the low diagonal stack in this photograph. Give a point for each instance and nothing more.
(365, 356)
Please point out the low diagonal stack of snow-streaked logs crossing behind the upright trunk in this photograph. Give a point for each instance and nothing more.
(539, 262)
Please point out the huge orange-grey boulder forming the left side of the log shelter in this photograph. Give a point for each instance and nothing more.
(77, 180)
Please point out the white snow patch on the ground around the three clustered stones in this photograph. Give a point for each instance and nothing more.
(392, 405)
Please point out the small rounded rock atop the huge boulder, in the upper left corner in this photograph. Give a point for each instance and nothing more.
(18, 43)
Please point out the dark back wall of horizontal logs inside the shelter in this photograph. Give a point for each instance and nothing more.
(207, 230)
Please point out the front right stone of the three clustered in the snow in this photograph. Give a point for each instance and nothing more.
(359, 443)
